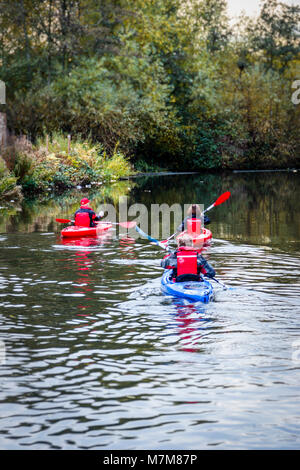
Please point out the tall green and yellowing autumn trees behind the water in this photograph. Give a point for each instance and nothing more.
(173, 83)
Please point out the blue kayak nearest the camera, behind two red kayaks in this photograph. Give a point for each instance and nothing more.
(191, 290)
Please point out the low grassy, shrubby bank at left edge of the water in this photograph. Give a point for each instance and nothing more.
(57, 164)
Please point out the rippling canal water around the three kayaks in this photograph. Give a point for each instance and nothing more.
(94, 356)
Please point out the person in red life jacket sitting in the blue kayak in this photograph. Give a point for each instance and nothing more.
(187, 264)
